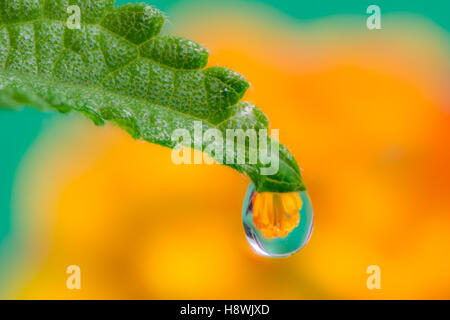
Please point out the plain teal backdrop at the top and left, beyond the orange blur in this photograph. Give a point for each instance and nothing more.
(18, 129)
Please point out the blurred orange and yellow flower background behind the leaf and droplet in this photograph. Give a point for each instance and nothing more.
(366, 114)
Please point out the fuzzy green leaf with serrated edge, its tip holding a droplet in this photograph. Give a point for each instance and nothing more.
(118, 68)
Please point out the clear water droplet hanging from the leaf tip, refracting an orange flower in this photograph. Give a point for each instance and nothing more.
(282, 236)
